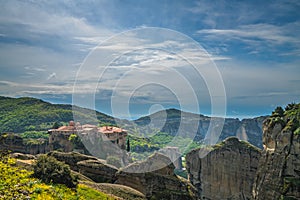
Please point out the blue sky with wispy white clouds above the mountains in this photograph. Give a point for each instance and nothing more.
(130, 58)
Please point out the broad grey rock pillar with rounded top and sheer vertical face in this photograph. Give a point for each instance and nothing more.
(226, 172)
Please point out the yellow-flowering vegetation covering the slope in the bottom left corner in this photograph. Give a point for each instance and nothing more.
(17, 183)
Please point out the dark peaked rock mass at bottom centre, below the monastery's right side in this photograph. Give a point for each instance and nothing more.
(155, 178)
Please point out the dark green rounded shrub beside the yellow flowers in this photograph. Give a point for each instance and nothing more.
(50, 170)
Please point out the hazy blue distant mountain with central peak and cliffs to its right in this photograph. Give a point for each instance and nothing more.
(172, 120)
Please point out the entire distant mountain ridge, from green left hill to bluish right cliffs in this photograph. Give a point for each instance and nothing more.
(26, 113)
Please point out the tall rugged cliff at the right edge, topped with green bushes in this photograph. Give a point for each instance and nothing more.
(278, 176)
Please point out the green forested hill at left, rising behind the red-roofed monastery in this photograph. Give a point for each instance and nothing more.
(26, 113)
